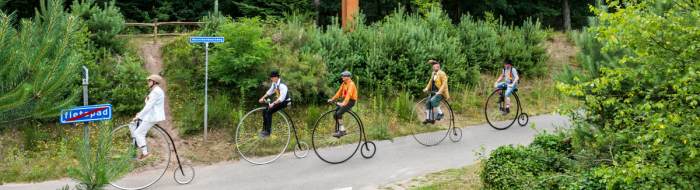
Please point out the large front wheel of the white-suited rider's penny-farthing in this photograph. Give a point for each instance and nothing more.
(146, 173)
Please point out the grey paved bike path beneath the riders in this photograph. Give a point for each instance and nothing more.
(394, 161)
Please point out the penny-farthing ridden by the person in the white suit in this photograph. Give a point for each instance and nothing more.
(148, 172)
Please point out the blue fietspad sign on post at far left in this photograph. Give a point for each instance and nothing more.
(86, 114)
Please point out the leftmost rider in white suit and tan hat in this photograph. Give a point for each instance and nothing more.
(152, 113)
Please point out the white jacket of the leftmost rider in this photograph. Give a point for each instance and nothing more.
(154, 111)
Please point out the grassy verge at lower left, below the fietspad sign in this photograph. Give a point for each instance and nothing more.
(43, 151)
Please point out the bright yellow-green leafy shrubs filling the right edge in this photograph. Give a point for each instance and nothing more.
(637, 125)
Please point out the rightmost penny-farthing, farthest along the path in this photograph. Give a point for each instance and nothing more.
(496, 104)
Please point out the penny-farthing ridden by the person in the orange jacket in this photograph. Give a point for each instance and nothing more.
(337, 150)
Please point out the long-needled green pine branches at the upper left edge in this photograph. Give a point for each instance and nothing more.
(40, 59)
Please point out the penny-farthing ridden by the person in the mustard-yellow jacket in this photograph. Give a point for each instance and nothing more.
(436, 129)
